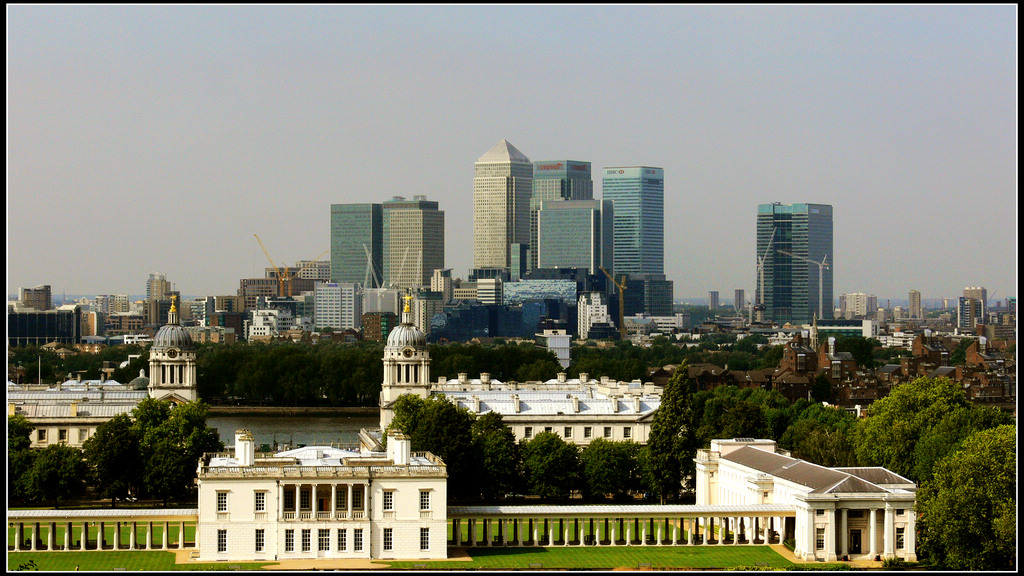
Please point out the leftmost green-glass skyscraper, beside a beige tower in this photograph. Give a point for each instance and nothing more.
(357, 235)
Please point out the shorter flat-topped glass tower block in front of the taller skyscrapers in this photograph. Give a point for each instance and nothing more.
(575, 234)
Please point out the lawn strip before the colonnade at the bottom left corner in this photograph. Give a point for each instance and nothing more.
(114, 561)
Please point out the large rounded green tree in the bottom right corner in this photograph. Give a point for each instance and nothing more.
(968, 512)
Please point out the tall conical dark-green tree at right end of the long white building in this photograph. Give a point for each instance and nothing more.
(671, 439)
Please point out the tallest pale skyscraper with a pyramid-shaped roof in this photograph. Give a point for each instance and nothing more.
(503, 183)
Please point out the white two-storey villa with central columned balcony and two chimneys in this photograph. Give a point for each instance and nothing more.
(322, 503)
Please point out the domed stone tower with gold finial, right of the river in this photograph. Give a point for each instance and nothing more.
(407, 364)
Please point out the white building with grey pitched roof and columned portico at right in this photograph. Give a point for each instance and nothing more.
(856, 513)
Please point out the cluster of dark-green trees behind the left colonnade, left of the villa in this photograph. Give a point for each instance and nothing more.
(150, 455)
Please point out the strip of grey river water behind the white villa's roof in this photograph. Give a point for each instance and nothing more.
(294, 431)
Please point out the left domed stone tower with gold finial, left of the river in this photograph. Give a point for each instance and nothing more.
(173, 362)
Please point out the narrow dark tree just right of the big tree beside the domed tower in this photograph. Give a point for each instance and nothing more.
(497, 457)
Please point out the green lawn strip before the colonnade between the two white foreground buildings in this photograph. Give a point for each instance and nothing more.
(592, 558)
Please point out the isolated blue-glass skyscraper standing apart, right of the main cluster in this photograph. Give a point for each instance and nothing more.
(798, 268)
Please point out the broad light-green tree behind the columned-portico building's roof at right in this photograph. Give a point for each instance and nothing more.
(892, 434)
